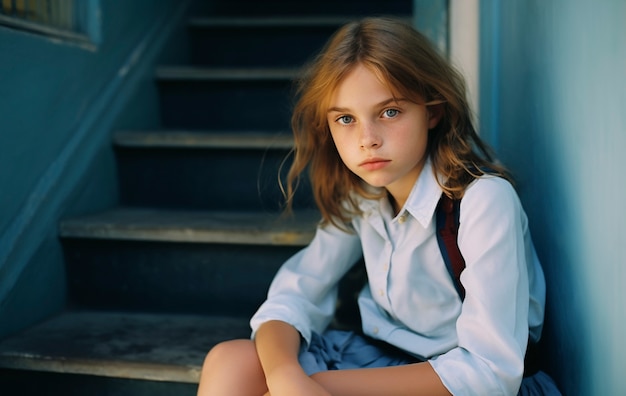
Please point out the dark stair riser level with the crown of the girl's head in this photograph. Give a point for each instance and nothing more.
(265, 46)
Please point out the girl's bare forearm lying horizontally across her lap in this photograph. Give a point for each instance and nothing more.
(411, 380)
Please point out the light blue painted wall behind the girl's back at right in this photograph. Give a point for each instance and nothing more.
(553, 103)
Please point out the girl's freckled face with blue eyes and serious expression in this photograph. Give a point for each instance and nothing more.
(381, 139)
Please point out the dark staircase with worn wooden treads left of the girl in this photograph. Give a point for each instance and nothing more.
(188, 254)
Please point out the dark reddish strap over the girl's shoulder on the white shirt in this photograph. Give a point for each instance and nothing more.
(447, 230)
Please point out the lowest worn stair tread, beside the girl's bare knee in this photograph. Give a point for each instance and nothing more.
(159, 347)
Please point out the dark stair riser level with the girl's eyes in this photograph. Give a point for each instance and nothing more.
(226, 104)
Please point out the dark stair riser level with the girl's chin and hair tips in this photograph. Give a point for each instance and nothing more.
(205, 179)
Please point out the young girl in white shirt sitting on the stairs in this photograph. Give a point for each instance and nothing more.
(383, 126)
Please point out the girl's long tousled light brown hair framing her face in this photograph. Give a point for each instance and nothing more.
(406, 61)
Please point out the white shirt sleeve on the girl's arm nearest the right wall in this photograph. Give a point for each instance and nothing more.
(493, 325)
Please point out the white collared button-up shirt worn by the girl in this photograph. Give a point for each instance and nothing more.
(476, 346)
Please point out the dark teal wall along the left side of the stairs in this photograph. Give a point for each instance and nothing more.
(58, 105)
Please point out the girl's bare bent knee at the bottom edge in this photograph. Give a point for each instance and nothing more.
(232, 368)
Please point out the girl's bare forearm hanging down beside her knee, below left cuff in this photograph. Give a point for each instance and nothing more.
(277, 345)
